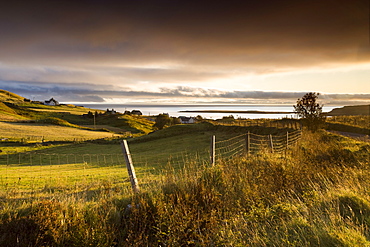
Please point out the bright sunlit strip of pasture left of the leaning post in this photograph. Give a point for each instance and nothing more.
(24, 180)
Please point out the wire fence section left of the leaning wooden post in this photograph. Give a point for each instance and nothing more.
(30, 173)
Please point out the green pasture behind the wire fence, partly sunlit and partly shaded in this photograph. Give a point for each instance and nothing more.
(37, 166)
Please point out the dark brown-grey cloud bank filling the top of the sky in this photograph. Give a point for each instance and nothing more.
(227, 33)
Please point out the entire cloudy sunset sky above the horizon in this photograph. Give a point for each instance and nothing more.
(186, 52)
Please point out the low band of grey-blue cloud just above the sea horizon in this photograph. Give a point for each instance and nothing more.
(83, 92)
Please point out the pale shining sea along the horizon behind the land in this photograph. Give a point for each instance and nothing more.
(177, 110)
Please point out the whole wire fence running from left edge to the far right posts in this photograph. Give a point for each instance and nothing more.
(22, 170)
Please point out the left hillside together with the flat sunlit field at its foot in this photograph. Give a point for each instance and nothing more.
(32, 122)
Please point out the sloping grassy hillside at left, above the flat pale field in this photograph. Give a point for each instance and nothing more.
(14, 108)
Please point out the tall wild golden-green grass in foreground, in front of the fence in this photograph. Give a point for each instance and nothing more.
(314, 195)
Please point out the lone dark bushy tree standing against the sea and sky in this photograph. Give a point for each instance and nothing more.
(310, 111)
